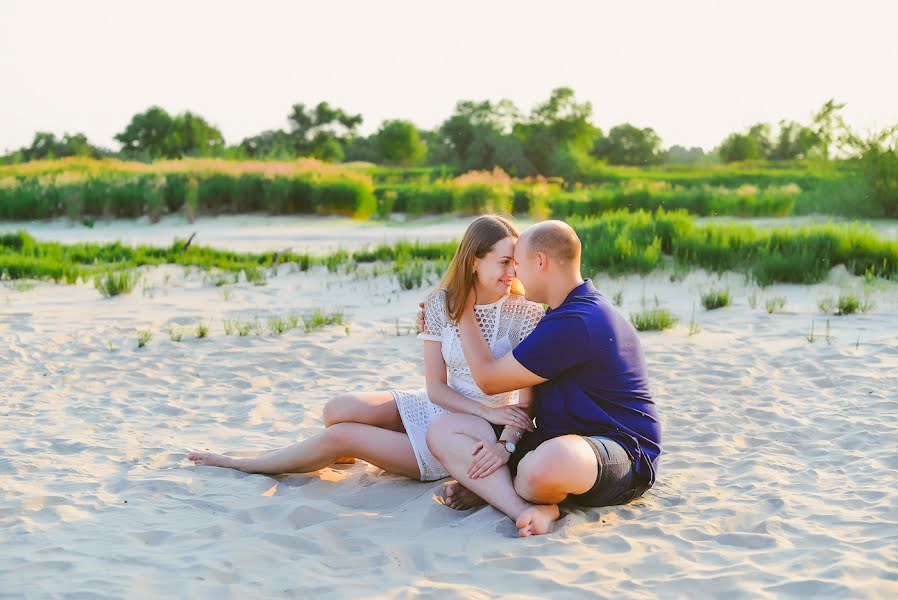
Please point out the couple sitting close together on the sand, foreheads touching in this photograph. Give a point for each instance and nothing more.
(578, 368)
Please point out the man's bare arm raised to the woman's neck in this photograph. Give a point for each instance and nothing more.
(492, 375)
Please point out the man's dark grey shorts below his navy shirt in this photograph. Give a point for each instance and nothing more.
(616, 480)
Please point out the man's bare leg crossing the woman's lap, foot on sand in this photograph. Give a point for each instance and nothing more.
(451, 439)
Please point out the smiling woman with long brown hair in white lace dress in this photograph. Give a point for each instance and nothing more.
(388, 429)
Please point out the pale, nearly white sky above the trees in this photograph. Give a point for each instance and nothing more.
(693, 70)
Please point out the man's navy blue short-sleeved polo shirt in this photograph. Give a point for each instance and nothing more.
(597, 380)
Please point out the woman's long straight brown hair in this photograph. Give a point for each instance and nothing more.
(479, 239)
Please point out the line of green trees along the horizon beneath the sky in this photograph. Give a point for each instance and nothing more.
(557, 138)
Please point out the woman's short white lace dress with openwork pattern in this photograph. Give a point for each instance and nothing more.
(504, 324)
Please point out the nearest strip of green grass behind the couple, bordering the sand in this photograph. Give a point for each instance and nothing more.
(617, 243)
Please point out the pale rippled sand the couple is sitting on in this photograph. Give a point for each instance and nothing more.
(777, 479)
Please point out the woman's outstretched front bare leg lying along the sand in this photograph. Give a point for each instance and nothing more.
(389, 450)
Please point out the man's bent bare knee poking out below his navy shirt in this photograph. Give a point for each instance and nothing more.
(558, 467)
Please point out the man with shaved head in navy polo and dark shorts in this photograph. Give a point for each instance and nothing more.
(597, 436)
